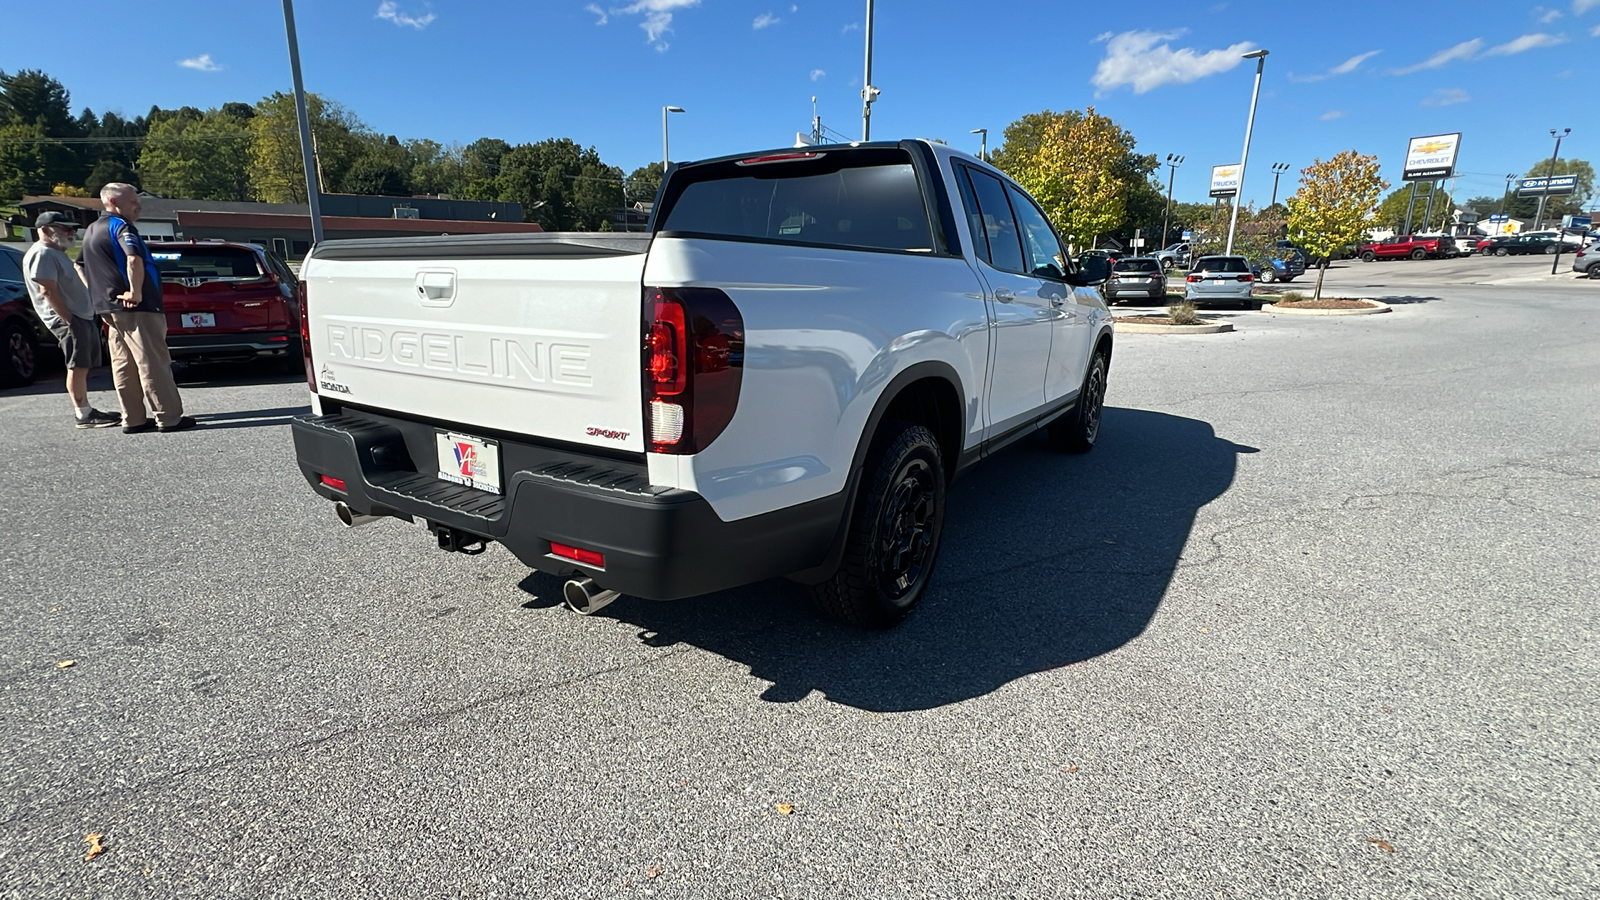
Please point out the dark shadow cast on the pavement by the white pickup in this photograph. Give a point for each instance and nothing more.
(1047, 560)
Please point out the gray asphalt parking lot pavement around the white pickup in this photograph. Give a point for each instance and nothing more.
(1316, 619)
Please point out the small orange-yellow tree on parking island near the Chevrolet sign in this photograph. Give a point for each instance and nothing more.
(1335, 206)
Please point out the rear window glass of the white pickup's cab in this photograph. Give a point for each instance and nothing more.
(850, 199)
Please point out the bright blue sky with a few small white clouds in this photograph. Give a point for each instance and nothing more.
(1358, 74)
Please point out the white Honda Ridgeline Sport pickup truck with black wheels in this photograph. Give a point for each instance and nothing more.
(782, 379)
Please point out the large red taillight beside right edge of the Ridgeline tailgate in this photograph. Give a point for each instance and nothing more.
(694, 360)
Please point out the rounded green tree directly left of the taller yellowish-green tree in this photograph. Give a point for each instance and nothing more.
(198, 158)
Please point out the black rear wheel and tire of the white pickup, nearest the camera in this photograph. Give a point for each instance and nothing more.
(894, 532)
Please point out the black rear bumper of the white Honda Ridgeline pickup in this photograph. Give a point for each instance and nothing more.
(658, 544)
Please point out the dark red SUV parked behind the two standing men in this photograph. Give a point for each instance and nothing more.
(228, 302)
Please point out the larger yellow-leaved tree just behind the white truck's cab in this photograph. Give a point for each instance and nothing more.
(1071, 166)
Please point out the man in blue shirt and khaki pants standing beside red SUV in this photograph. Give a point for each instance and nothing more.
(127, 289)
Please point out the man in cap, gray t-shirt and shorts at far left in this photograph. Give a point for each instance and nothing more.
(63, 305)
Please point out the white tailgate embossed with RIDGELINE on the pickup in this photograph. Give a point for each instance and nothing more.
(534, 335)
